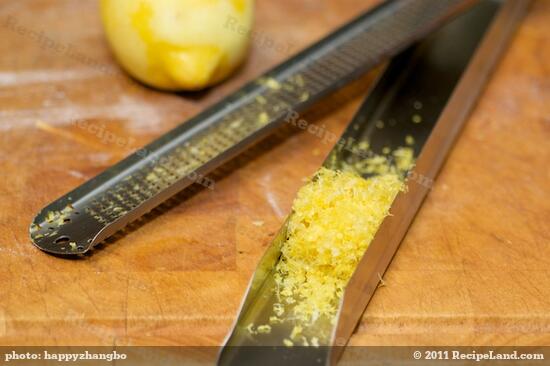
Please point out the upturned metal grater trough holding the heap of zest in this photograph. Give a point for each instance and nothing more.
(446, 81)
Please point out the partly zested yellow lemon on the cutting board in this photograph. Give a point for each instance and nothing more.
(178, 44)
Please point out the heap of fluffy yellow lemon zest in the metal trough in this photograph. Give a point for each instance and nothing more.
(334, 219)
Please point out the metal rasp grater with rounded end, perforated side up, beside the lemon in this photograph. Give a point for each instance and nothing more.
(86, 216)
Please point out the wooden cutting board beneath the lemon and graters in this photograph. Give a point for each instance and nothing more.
(473, 269)
